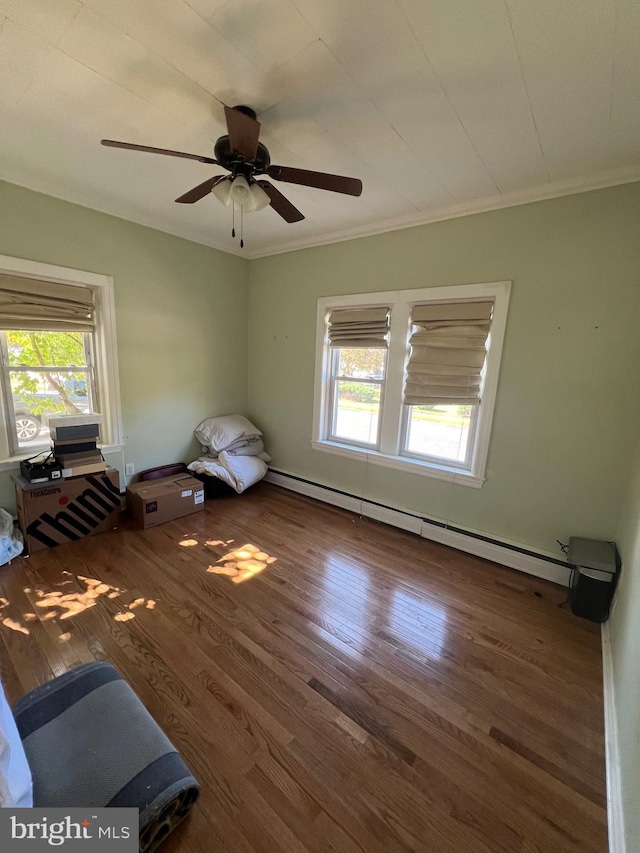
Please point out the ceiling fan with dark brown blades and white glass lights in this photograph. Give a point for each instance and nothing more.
(240, 152)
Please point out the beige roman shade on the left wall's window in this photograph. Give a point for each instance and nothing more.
(26, 303)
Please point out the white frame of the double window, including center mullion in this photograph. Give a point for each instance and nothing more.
(393, 415)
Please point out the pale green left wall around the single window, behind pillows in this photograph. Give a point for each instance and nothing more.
(181, 316)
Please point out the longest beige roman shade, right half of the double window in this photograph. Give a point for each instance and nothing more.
(447, 353)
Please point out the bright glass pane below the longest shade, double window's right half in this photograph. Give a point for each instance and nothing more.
(441, 431)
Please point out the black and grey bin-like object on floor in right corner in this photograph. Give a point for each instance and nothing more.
(595, 568)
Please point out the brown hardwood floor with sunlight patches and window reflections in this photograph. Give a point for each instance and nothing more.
(360, 688)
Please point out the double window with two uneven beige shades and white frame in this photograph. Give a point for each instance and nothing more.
(409, 377)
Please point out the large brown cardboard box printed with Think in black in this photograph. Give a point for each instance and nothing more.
(66, 511)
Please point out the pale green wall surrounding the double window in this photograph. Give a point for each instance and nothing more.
(568, 405)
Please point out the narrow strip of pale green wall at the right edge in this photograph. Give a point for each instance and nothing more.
(625, 648)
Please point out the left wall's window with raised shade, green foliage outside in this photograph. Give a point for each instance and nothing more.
(57, 350)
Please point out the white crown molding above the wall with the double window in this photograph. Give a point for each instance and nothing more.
(611, 178)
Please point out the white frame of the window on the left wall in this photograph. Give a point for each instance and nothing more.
(104, 351)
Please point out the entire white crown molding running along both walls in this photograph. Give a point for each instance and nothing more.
(556, 189)
